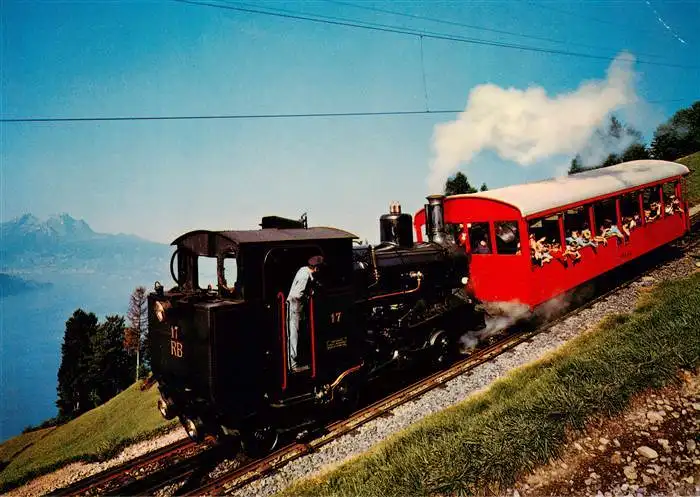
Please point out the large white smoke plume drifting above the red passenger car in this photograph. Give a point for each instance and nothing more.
(526, 126)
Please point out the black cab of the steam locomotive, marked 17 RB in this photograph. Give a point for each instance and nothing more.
(220, 338)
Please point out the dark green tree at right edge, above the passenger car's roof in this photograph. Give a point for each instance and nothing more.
(679, 136)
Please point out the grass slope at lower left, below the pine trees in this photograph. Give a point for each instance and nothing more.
(97, 434)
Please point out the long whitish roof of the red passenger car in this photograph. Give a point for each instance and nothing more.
(541, 196)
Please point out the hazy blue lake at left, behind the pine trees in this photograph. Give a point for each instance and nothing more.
(31, 332)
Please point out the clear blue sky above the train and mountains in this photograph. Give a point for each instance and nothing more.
(158, 179)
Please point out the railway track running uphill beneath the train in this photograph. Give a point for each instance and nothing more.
(184, 460)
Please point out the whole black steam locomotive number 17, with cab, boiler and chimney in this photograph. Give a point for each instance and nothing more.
(220, 352)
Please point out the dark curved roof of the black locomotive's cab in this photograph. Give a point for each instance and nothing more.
(212, 243)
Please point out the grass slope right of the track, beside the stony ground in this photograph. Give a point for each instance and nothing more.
(481, 445)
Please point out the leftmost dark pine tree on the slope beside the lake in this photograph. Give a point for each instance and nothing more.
(75, 379)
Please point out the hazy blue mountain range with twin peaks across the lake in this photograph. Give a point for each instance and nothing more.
(62, 242)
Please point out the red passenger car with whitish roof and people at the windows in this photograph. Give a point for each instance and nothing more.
(532, 242)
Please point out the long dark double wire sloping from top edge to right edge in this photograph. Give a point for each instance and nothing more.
(413, 32)
